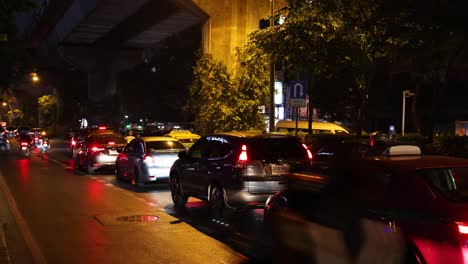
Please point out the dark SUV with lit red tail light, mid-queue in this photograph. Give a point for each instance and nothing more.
(236, 169)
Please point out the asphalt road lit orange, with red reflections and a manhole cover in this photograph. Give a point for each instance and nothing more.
(53, 213)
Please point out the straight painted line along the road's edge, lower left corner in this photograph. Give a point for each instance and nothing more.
(23, 226)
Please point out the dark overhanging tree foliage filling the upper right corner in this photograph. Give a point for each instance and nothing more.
(348, 39)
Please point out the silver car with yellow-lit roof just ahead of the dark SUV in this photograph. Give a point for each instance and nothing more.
(147, 159)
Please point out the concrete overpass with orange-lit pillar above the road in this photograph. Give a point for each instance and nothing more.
(105, 37)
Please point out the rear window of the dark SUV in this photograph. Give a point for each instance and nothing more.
(274, 149)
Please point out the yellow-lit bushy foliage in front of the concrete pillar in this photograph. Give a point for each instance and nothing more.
(221, 102)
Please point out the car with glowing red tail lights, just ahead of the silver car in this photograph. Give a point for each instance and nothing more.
(99, 150)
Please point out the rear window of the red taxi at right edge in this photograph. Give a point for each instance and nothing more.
(452, 183)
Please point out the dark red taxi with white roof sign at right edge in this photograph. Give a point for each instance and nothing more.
(423, 198)
